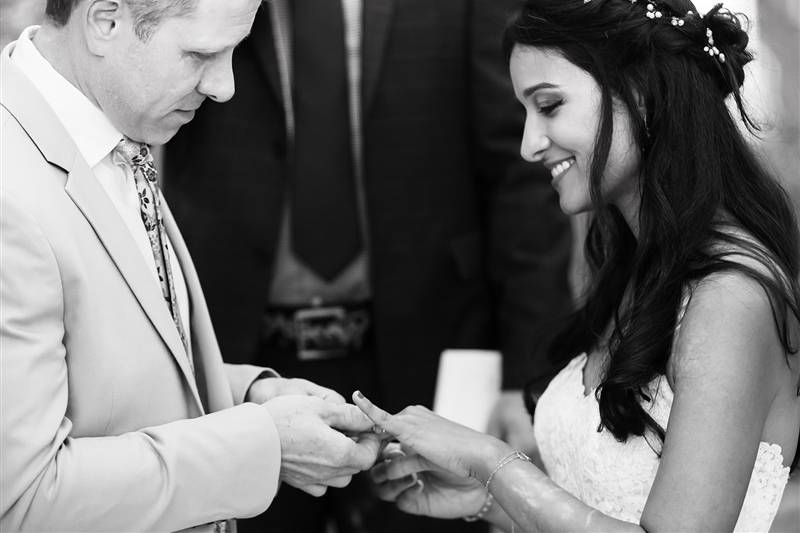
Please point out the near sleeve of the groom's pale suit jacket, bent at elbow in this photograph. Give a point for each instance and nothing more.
(167, 477)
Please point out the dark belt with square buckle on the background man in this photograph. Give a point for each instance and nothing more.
(318, 332)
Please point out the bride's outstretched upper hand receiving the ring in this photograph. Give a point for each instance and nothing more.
(441, 442)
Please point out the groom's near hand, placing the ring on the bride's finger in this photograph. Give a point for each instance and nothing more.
(316, 451)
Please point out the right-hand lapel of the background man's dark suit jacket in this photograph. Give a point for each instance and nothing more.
(377, 15)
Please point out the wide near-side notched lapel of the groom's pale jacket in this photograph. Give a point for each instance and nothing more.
(23, 101)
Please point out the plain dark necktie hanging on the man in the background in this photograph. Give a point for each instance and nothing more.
(325, 229)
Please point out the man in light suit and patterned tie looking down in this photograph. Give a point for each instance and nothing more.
(116, 409)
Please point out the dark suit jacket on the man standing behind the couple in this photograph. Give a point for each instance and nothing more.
(468, 246)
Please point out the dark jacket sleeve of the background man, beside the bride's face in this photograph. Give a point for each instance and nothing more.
(529, 237)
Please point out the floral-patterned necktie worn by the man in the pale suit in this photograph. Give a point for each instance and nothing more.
(140, 159)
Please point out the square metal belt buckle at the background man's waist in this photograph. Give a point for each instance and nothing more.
(320, 333)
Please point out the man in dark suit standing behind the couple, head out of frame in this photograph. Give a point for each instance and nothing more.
(400, 114)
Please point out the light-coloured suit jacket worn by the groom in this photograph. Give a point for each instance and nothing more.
(105, 423)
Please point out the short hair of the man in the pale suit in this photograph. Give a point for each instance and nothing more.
(147, 14)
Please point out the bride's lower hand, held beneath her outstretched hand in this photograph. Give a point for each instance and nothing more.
(435, 493)
